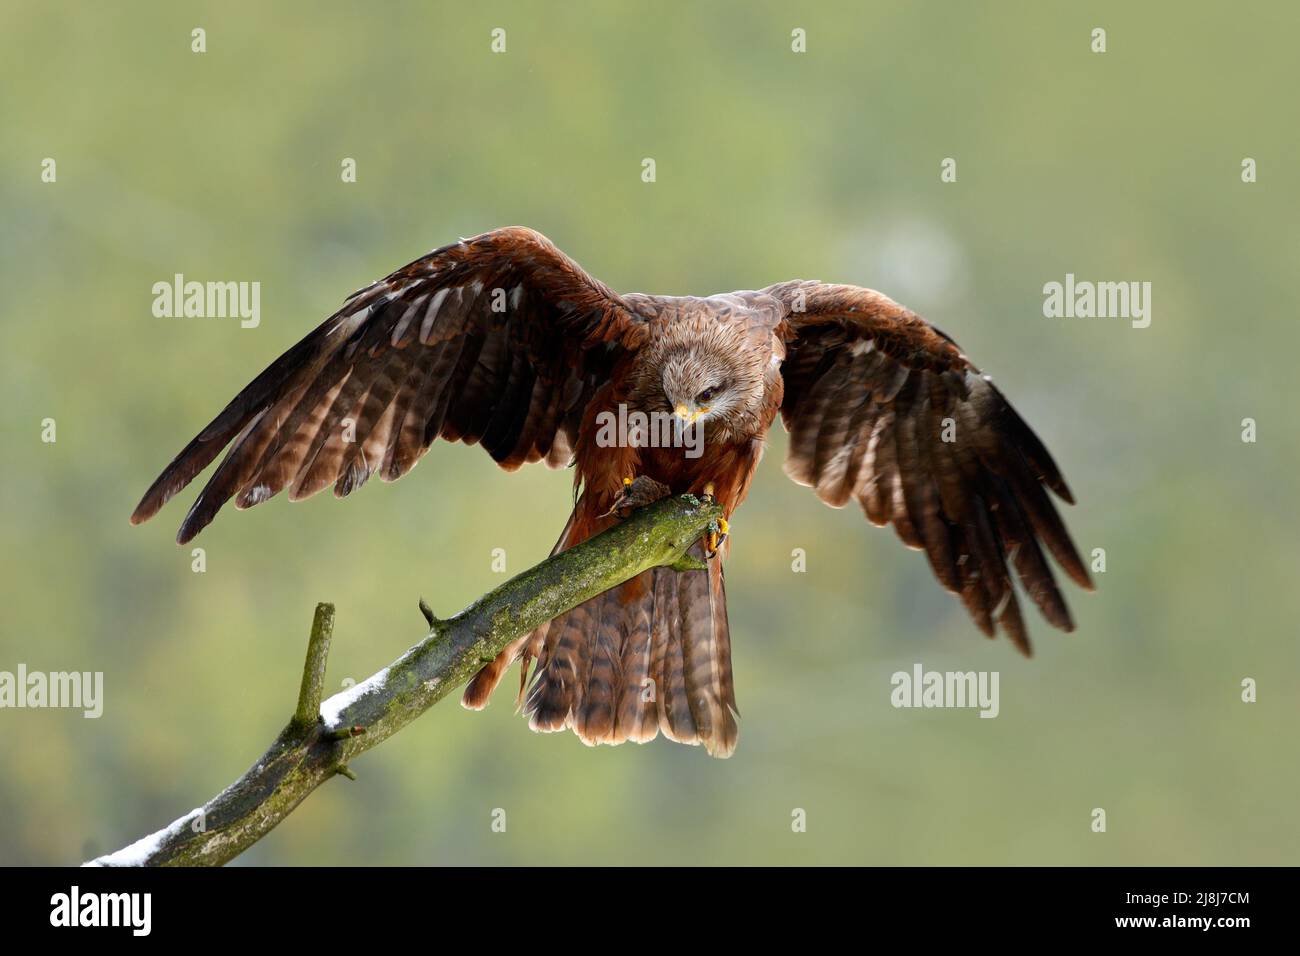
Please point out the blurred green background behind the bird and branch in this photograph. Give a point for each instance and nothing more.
(226, 166)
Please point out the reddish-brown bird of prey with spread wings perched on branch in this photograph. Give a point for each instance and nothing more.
(505, 341)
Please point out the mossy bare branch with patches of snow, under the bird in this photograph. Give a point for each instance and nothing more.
(323, 737)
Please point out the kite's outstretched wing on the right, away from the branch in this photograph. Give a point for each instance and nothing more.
(885, 408)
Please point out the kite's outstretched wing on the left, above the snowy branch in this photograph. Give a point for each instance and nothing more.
(500, 340)
